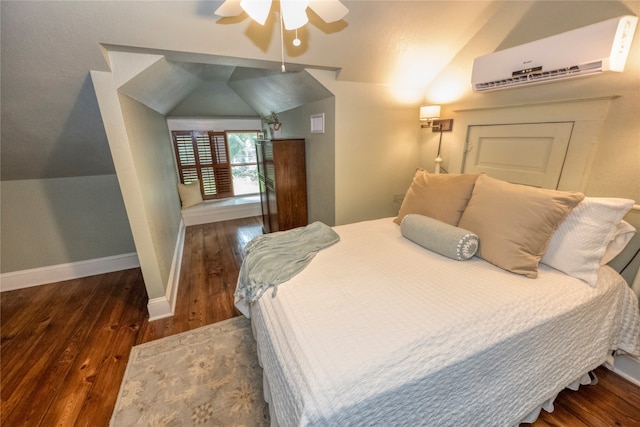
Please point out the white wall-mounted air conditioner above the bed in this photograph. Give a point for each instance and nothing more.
(585, 51)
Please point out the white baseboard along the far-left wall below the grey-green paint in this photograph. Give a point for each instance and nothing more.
(61, 272)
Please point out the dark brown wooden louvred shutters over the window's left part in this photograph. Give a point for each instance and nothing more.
(204, 156)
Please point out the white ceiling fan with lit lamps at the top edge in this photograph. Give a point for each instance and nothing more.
(294, 12)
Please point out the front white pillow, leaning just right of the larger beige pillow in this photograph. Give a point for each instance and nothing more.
(579, 243)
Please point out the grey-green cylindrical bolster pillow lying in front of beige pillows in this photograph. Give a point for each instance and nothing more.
(440, 237)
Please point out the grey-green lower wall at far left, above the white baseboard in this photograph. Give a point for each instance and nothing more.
(56, 221)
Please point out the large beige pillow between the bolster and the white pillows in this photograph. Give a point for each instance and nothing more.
(515, 222)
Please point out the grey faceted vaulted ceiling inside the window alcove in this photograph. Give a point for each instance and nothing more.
(191, 89)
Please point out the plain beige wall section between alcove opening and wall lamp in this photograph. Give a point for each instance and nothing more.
(375, 148)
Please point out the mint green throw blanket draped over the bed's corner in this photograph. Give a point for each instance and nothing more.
(272, 259)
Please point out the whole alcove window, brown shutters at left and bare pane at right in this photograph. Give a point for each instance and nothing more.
(223, 162)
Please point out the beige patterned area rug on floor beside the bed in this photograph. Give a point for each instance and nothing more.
(208, 376)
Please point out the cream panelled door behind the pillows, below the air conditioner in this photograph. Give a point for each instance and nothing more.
(531, 153)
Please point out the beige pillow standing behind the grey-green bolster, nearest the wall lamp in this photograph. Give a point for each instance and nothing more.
(439, 196)
